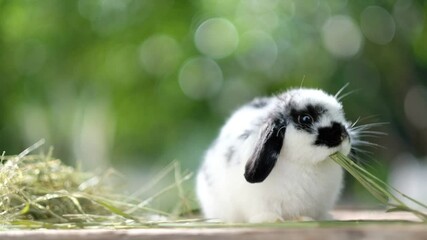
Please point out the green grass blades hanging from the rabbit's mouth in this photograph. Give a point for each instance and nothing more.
(384, 193)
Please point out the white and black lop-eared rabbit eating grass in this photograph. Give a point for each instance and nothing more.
(271, 161)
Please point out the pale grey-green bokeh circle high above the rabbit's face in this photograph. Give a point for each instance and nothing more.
(341, 36)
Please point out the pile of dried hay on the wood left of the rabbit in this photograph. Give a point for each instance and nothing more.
(40, 191)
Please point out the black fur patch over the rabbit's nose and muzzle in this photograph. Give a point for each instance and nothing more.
(331, 136)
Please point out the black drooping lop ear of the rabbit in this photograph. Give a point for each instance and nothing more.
(266, 152)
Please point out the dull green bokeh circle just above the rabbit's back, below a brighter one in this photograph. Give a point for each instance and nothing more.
(200, 78)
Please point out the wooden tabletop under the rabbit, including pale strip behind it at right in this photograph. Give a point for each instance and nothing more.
(368, 230)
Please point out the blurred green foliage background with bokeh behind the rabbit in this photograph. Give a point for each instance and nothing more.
(139, 83)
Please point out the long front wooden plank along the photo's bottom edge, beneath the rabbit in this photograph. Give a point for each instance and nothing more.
(377, 232)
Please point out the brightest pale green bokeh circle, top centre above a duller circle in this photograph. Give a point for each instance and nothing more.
(216, 38)
